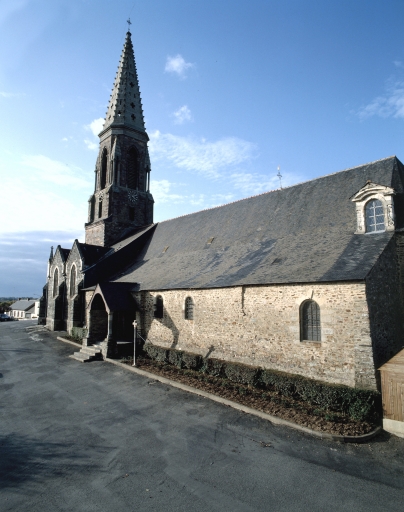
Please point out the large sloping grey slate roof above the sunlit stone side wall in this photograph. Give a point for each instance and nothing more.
(304, 233)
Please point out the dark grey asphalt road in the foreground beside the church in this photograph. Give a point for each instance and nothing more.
(93, 437)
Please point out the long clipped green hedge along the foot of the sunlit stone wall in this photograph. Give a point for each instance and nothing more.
(359, 404)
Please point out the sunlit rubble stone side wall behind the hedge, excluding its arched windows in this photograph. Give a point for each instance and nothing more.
(260, 325)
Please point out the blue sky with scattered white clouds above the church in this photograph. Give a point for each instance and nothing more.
(231, 90)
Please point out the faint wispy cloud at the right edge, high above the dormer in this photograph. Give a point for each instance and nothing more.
(391, 104)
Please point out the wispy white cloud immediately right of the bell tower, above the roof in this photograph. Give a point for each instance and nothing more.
(207, 158)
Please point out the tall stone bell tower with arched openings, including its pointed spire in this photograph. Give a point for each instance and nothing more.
(122, 200)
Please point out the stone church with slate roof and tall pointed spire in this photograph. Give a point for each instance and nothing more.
(306, 279)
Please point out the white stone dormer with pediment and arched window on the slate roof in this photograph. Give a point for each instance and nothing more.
(374, 209)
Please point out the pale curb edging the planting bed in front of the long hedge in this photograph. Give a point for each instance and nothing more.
(272, 419)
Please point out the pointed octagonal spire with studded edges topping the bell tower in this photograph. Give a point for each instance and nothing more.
(125, 106)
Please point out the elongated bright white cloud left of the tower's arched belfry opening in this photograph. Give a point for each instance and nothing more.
(45, 169)
